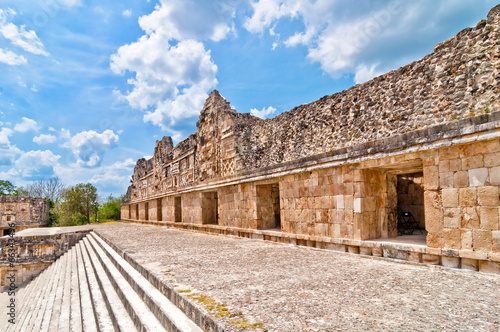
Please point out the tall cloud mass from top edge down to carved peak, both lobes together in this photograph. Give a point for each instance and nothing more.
(173, 71)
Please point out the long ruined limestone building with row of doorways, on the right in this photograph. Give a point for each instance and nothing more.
(341, 172)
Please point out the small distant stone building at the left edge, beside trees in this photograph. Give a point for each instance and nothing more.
(23, 211)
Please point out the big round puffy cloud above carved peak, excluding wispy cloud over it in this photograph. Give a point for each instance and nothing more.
(172, 79)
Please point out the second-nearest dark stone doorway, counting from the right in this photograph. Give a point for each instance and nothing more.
(268, 207)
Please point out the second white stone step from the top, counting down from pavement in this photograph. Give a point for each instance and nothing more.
(143, 318)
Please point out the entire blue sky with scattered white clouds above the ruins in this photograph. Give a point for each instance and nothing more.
(87, 86)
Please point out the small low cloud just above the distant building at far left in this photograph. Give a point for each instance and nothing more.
(36, 164)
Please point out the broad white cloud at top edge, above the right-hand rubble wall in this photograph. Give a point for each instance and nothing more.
(335, 39)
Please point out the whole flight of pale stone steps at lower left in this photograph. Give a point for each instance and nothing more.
(92, 288)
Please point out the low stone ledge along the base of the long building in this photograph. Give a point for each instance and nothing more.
(450, 258)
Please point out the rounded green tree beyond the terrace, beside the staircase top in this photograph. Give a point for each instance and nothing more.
(79, 205)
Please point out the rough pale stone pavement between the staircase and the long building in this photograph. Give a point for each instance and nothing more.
(289, 288)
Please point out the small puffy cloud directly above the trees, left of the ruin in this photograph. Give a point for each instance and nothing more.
(89, 146)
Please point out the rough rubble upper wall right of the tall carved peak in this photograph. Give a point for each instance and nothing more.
(458, 80)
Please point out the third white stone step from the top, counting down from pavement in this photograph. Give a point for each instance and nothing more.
(119, 315)
